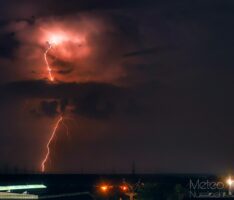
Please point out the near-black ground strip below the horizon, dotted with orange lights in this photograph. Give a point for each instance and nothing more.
(146, 186)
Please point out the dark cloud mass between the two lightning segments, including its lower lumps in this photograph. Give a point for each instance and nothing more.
(91, 100)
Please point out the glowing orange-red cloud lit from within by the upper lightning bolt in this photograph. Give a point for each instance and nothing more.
(85, 47)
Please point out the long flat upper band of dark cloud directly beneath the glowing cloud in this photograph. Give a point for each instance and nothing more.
(37, 89)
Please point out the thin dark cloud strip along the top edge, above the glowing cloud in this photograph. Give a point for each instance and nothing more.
(28, 8)
